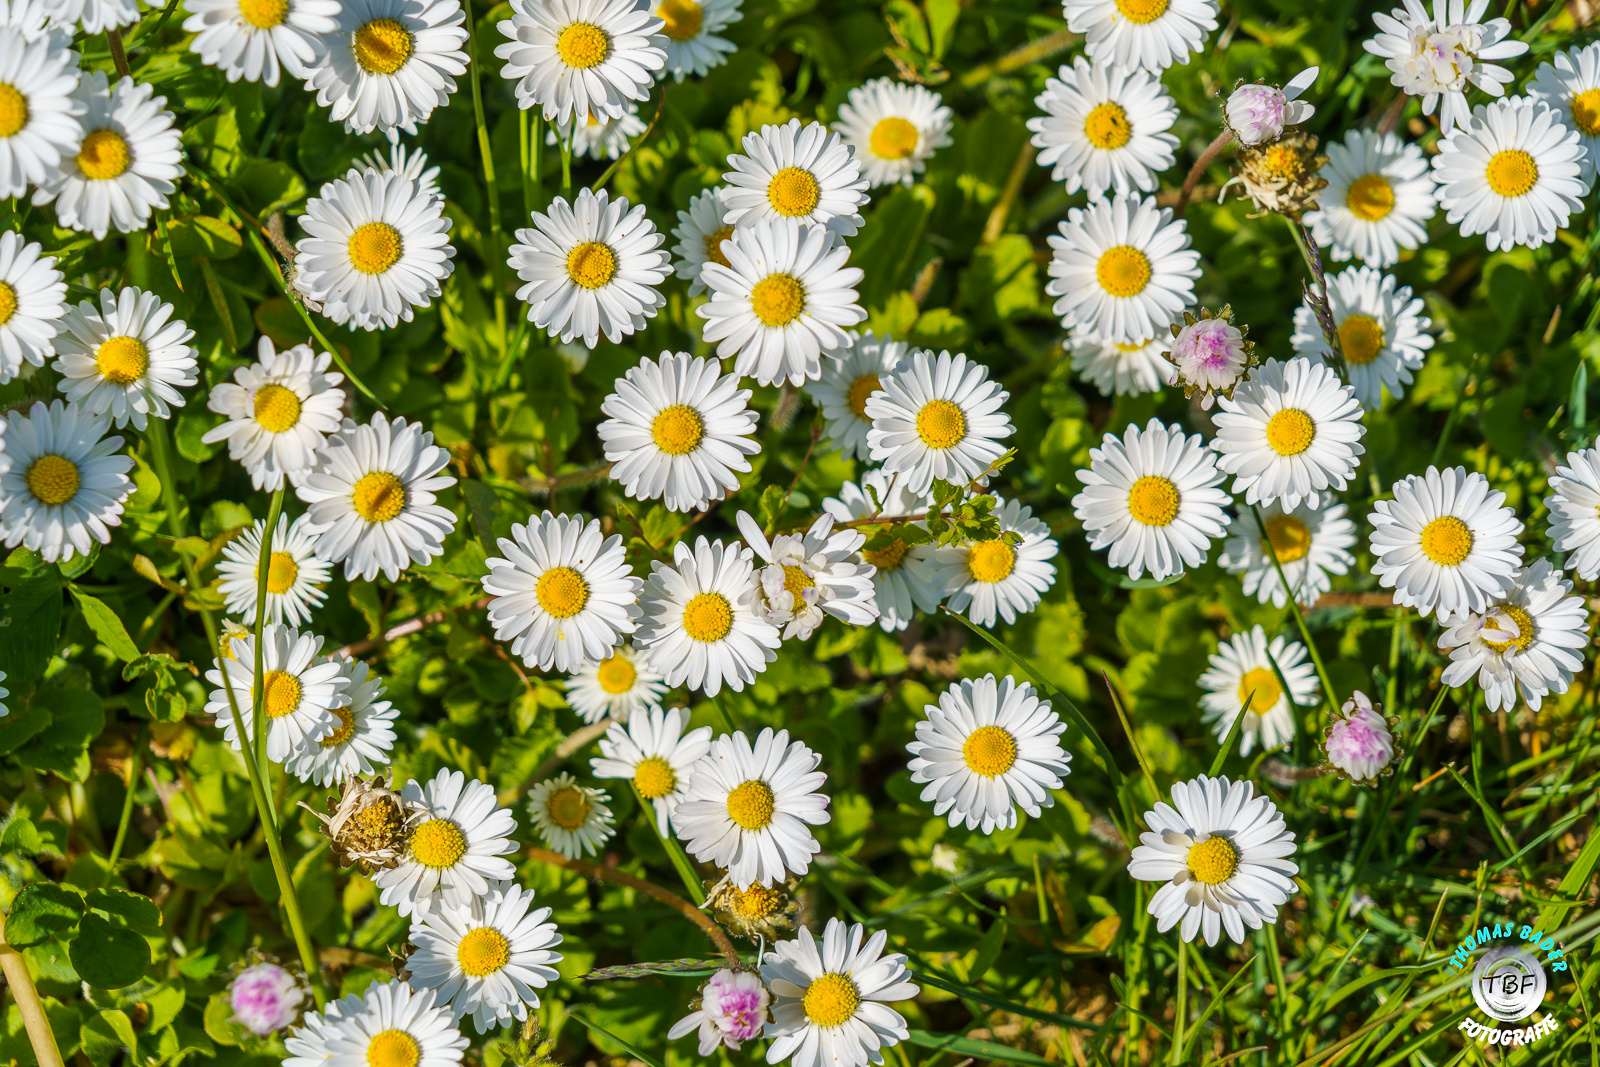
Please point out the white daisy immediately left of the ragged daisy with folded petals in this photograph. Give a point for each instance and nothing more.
(702, 625)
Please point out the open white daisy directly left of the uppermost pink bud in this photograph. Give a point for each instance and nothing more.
(1105, 127)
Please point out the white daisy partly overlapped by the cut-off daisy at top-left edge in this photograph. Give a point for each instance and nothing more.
(126, 166)
